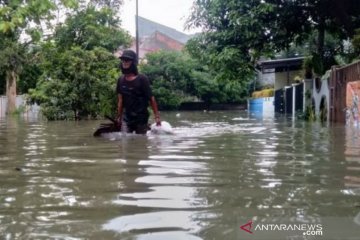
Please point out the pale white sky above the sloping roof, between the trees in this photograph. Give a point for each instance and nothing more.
(171, 13)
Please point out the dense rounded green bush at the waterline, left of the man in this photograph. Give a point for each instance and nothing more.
(80, 84)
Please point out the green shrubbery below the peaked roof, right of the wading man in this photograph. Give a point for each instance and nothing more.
(176, 78)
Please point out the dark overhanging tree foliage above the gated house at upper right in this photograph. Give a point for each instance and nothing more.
(237, 32)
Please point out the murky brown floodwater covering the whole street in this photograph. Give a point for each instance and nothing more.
(220, 173)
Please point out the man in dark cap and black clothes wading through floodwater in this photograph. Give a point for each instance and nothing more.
(134, 96)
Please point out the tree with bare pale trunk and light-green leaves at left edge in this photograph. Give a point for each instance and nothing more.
(19, 19)
